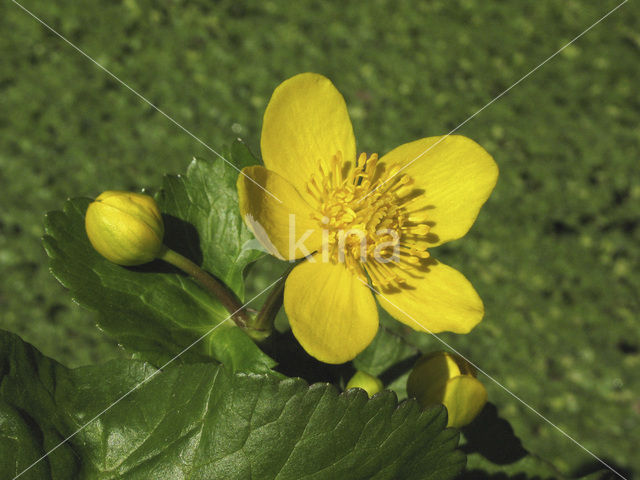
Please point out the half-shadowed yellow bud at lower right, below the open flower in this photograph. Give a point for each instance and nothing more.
(448, 379)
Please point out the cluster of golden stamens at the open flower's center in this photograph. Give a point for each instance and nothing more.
(367, 218)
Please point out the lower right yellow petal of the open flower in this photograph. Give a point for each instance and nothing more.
(439, 299)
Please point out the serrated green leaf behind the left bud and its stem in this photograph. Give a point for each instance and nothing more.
(154, 309)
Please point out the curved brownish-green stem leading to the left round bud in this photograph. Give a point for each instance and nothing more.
(210, 283)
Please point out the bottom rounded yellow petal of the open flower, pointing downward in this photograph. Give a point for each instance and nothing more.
(332, 313)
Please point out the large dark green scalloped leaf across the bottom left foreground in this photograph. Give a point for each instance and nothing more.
(203, 421)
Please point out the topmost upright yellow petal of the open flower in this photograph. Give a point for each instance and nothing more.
(305, 122)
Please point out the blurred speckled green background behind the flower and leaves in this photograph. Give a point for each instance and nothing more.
(554, 253)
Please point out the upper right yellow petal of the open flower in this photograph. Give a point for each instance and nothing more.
(456, 175)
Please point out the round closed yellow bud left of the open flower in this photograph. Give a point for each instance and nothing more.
(125, 228)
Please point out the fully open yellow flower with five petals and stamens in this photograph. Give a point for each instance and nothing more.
(331, 201)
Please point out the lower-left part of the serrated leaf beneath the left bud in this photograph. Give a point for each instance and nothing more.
(149, 308)
